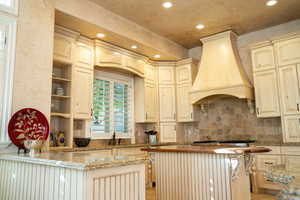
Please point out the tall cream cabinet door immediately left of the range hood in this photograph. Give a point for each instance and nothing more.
(184, 107)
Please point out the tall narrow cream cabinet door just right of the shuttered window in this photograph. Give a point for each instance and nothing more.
(151, 103)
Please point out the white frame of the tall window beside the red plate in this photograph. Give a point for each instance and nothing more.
(8, 81)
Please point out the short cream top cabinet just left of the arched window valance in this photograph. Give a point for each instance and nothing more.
(84, 54)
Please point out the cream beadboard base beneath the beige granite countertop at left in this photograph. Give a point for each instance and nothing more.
(27, 181)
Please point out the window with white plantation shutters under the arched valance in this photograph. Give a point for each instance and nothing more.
(112, 105)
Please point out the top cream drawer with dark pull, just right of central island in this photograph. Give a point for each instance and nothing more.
(264, 162)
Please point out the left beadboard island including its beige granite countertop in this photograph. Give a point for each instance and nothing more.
(88, 175)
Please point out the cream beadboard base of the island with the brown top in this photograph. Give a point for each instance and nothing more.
(189, 176)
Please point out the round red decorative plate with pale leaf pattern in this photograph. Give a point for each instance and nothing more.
(28, 123)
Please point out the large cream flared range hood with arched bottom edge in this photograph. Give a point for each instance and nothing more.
(220, 71)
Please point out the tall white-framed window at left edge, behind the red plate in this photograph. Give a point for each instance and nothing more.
(7, 49)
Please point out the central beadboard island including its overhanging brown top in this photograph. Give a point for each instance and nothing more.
(186, 172)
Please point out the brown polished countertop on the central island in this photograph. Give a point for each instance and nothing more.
(210, 149)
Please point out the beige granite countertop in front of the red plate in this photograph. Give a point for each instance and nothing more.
(86, 160)
